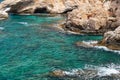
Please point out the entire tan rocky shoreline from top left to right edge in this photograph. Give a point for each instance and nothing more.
(95, 17)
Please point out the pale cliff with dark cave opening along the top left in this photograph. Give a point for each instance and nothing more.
(39, 6)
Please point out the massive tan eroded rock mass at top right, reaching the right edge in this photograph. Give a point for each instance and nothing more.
(94, 17)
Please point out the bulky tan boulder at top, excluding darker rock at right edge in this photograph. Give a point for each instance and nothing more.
(90, 17)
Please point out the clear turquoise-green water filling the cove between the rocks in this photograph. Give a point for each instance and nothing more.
(31, 46)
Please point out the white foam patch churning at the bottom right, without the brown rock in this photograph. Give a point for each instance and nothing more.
(109, 70)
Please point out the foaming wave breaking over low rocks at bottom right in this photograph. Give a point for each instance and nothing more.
(90, 72)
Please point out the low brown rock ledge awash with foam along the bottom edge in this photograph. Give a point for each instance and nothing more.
(85, 74)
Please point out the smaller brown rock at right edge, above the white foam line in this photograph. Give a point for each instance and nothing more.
(111, 39)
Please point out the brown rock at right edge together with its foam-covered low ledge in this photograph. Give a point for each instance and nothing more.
(110, 41)
